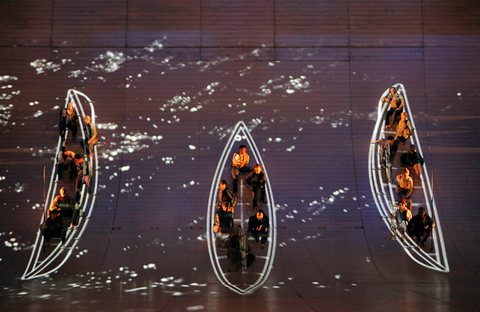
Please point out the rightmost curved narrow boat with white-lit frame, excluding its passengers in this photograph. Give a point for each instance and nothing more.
(433, 256)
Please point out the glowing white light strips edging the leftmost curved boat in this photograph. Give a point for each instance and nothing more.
(36, 268)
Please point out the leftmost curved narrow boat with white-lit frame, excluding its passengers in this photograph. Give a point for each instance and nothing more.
(41, 262)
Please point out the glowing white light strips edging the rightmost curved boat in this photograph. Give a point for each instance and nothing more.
(384, 197)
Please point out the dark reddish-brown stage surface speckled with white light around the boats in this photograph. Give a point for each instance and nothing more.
(171, 79)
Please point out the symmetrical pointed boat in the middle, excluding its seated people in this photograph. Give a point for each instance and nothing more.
(248, 280)
